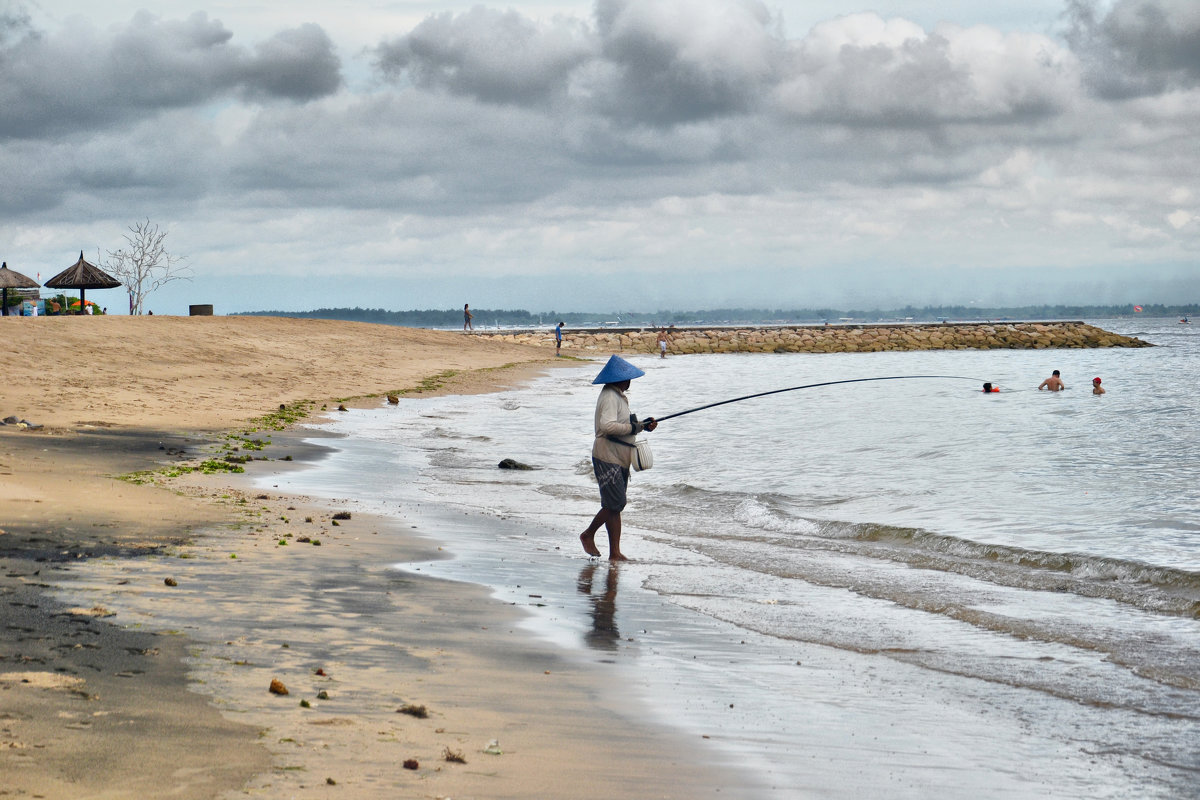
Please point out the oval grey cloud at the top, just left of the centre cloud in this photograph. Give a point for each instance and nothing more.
(493, 56)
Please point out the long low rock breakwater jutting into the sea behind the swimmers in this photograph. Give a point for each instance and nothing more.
(832, 339)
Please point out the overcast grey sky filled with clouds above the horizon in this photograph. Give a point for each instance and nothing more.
(613, 155)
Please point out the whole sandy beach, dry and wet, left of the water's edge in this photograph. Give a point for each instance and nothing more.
(157, 683)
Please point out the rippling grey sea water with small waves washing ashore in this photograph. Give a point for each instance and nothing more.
(901, 588)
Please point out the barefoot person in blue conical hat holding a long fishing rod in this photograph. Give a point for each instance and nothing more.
(613, 453)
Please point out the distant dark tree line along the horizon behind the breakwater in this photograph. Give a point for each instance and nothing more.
(519, 318)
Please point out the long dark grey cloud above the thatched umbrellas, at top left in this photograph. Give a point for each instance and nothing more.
(80, 79)
